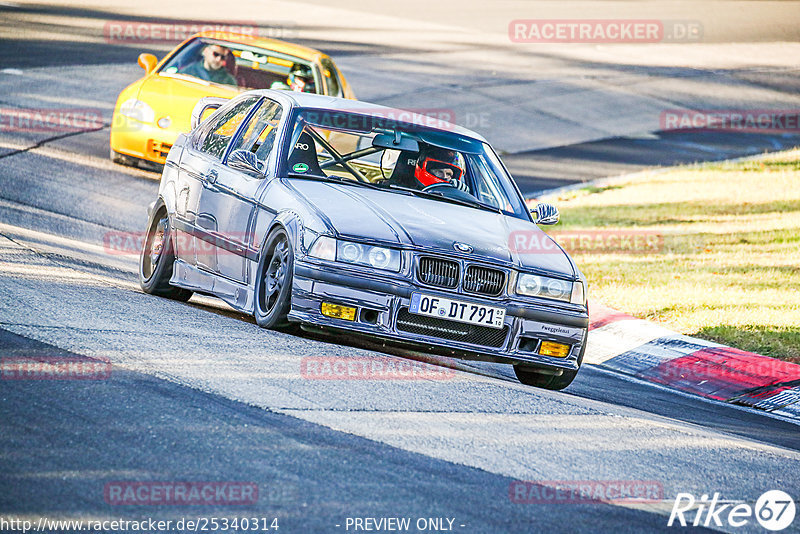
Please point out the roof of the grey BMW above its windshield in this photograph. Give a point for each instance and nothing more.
(418, 117)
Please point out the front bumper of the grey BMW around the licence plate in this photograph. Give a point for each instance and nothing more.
(382, 311)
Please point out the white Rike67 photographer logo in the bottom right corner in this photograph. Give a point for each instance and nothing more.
(774, 510)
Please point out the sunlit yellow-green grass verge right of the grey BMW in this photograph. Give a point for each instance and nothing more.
(727, 264)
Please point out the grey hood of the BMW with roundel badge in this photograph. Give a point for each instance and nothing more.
(433, 225)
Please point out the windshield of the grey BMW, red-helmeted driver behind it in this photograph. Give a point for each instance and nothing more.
(403, 157)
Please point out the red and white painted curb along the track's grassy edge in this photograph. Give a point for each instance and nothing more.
(653, 353)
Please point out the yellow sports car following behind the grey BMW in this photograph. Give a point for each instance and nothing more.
(151, 112)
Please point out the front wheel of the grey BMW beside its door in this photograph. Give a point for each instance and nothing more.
(273, 292)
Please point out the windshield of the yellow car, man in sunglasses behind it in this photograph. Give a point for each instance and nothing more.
(245, 66)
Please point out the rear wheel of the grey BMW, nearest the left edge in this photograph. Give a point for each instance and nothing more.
(157, 258)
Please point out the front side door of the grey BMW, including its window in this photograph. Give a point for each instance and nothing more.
(227, 205)
